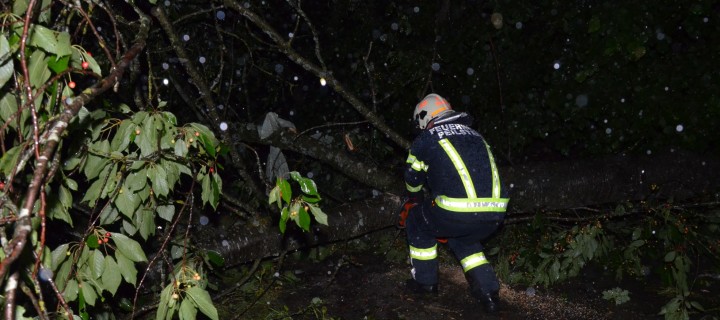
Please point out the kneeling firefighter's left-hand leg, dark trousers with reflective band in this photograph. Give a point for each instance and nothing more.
(423, 246)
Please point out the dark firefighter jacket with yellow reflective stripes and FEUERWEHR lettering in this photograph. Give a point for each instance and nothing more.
(455, 164)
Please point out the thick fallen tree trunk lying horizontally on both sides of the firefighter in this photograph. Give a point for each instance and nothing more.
(535, 187)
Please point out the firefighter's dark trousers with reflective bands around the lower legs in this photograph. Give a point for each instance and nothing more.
(464, 232)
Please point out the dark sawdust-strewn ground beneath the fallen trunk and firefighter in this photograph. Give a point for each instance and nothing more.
(363, 279)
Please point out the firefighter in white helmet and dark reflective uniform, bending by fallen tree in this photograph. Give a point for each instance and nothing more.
(466, 203)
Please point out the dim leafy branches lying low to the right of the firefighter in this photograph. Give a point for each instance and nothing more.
(656, 241)
